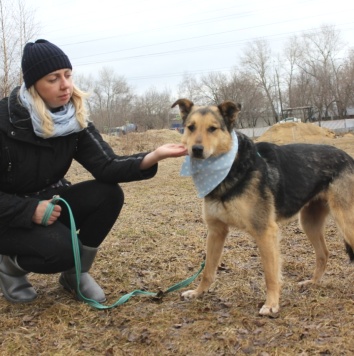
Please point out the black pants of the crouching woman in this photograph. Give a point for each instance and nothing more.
(48, 249)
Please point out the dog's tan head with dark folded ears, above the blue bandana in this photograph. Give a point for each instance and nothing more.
(207, 128)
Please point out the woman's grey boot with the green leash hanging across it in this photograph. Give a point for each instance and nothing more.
(88, 286)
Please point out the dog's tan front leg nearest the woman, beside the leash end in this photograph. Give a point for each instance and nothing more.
(217, 233)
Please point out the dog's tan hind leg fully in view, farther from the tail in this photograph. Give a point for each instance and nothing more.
(312, 220)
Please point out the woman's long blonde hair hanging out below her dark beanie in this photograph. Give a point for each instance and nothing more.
(78, 100)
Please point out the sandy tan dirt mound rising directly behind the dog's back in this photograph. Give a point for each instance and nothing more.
(296, 132)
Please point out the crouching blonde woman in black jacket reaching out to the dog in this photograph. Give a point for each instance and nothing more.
(43, 127)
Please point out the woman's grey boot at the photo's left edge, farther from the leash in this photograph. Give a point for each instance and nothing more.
(13, 281)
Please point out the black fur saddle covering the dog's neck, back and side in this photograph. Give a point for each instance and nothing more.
(294, 173)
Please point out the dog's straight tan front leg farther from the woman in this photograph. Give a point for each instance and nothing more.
(268, 244)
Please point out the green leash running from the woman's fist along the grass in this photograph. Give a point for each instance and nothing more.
(76, 252)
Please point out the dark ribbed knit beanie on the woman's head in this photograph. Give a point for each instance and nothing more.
(41, 58)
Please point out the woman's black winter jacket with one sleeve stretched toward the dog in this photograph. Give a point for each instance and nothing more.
(29, 163)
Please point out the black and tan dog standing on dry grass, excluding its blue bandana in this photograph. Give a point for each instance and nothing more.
(267, 184)
